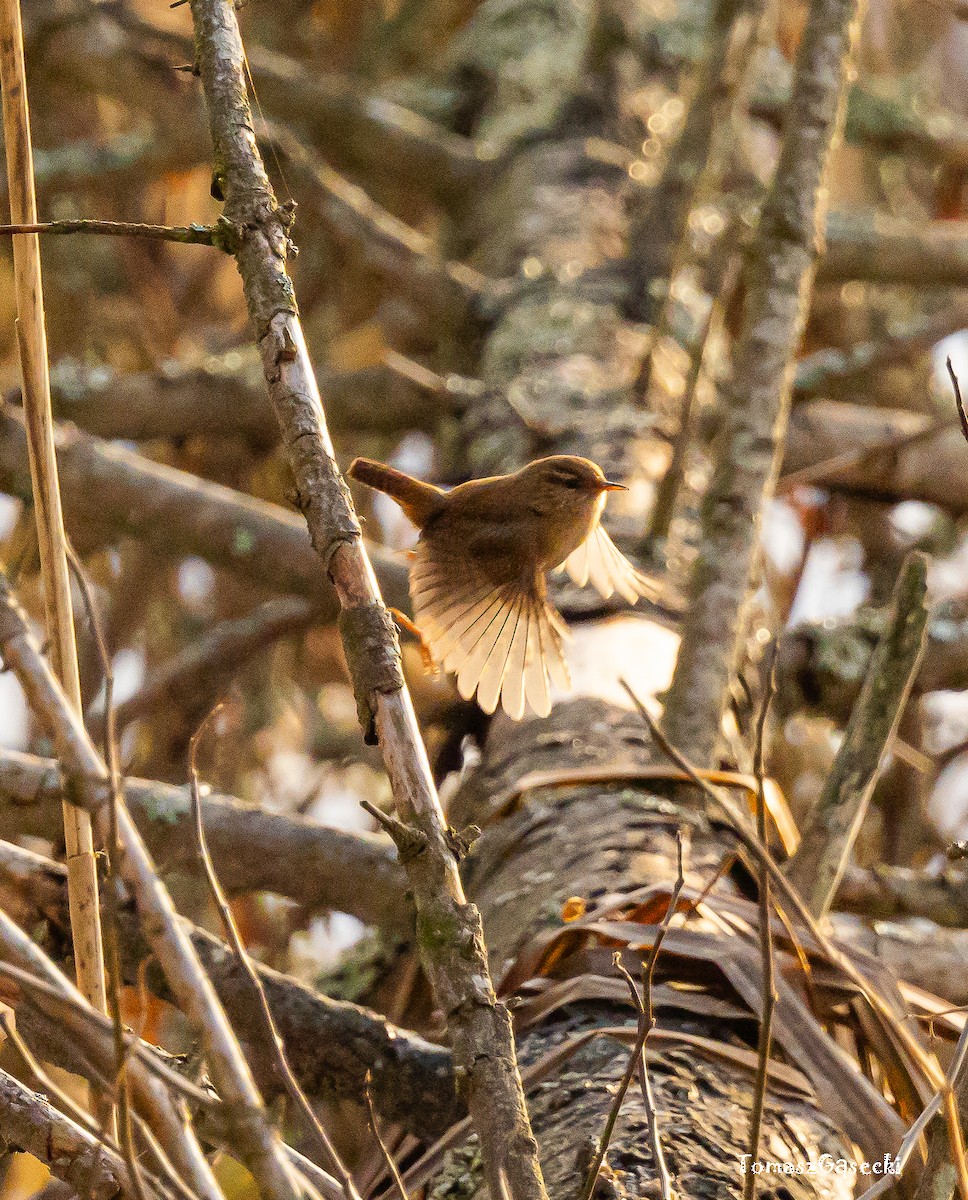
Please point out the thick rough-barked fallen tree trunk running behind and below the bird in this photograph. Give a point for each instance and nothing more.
(560, 364)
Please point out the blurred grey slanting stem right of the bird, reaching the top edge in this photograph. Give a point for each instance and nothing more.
(777, 283)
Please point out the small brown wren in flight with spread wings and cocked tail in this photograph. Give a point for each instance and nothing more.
(478, 572)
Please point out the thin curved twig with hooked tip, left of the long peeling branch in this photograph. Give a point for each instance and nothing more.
(311, 1123)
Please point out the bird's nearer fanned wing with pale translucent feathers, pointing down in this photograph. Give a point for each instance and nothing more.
(504, 644)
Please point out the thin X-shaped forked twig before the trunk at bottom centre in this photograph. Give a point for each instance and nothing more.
(636, 1059)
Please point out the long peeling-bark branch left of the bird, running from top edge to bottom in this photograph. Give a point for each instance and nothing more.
(449, 929)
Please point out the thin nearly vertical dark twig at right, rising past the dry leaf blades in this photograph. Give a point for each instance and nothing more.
(766, 937)
